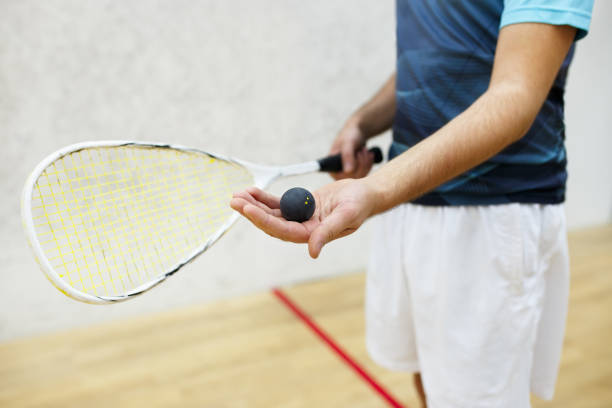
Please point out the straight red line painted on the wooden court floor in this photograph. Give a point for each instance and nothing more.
(367, 377)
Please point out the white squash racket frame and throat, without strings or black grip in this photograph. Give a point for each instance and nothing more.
(263, 176)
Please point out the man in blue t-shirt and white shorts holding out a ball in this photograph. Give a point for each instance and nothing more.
(468, 279)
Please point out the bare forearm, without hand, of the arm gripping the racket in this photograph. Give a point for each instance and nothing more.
(376, 115)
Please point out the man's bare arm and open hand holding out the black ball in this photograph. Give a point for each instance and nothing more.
(527, 60)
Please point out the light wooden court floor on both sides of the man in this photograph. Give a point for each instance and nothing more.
(253, 351)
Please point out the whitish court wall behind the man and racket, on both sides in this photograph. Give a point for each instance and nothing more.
(265, 81)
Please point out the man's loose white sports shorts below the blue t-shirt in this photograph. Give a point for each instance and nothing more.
(474, 298)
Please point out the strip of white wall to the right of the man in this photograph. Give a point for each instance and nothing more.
(589, 124)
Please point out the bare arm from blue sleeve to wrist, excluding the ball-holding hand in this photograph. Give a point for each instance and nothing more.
(522, 77)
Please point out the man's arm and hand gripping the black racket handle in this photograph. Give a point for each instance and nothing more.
(371, 119)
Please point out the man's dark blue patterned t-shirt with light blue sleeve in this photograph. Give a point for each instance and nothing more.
(445, 51)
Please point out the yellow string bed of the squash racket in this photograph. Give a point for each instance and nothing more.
(111, 219)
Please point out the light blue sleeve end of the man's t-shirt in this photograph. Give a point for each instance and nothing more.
(575, 13)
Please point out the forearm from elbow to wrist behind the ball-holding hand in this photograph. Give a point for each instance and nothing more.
(495, 120)
